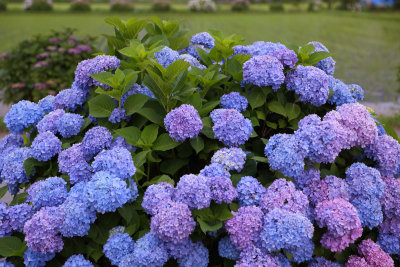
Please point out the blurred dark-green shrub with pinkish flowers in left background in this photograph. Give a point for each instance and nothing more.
(42, 65)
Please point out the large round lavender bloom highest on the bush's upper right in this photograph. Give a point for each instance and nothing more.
(263, 71)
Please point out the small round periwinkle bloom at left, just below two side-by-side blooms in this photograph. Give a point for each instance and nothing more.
(45, 146)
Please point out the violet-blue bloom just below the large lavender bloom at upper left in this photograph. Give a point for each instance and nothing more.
(69, 99)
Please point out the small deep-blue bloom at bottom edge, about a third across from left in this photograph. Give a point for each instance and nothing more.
(118, 246)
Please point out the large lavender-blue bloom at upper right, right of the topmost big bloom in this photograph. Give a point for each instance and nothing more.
(310, 83)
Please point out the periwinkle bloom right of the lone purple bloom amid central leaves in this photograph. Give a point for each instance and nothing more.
(231, 127)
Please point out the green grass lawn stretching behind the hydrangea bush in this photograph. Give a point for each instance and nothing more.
(366, 45)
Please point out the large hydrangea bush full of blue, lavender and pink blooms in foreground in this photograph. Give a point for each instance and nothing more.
(203, 152)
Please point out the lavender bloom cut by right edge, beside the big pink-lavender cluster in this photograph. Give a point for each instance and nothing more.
(385, 150)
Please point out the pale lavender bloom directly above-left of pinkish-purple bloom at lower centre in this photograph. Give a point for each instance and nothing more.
(157, 196)
